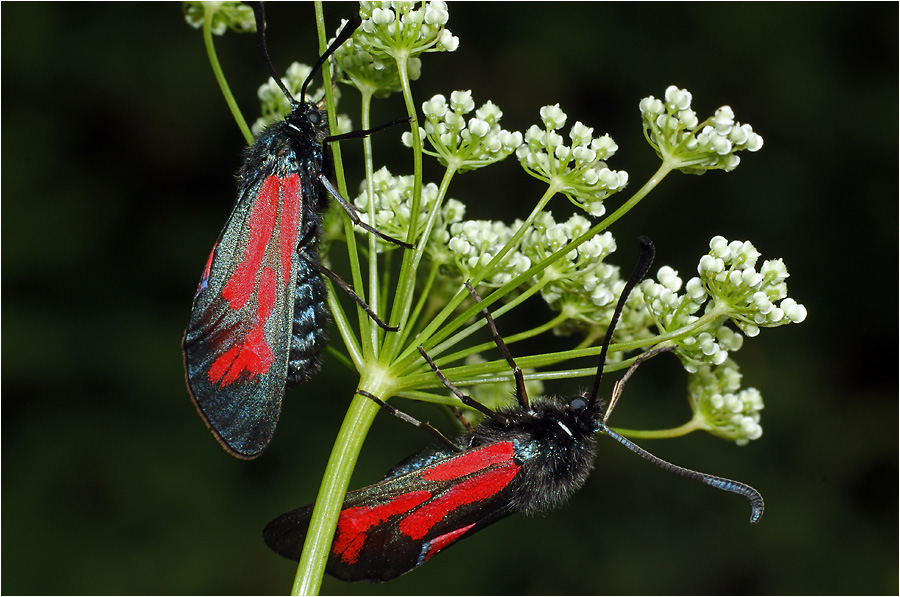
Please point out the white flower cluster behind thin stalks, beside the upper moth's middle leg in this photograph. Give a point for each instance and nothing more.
(393, 207)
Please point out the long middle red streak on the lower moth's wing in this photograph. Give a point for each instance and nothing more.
(473, 489)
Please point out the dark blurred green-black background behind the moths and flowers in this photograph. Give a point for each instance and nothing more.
(118, 154)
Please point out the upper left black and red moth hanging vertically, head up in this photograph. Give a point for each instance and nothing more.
(259, 315)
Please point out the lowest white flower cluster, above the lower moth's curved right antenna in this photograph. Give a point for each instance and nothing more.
(721, 407)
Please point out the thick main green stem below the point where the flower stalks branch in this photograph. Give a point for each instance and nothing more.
(347, 447)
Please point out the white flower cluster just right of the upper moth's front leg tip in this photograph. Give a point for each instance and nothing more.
(465, 144)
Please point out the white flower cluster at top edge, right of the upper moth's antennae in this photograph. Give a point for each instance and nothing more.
(405, 28)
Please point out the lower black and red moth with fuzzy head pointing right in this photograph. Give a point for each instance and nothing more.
(530, 457)
